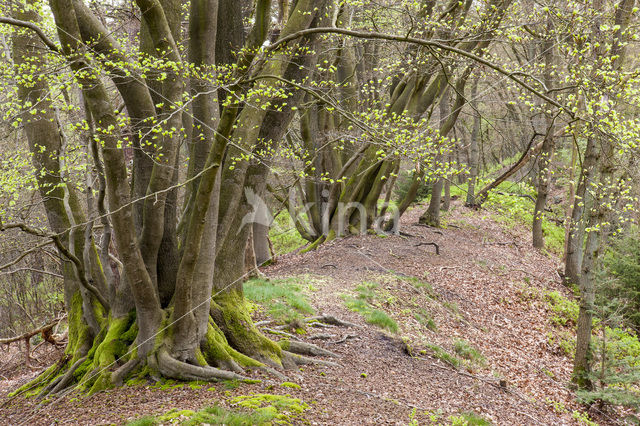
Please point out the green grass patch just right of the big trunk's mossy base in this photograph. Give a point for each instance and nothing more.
(283, 299)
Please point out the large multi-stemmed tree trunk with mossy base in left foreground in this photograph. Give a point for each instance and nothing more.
(168, 309)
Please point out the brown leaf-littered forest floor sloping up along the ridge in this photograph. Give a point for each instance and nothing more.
(477, 337)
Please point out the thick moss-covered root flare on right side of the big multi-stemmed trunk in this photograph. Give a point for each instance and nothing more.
(231, 315)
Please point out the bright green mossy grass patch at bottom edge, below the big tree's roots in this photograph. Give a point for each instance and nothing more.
(256, 409)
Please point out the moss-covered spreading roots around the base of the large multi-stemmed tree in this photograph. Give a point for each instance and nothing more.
(231, 346)
